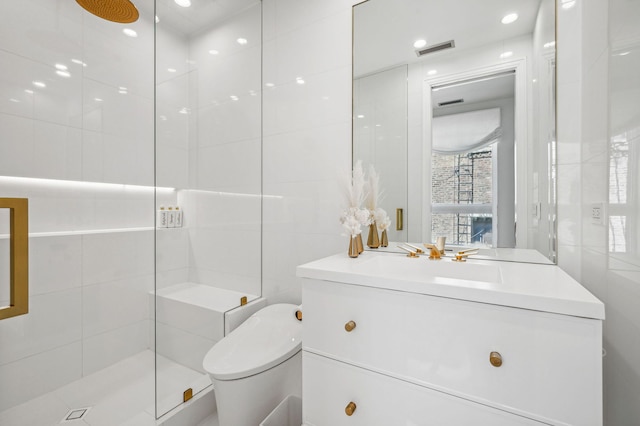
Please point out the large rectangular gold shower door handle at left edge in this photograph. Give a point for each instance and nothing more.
(18, 257)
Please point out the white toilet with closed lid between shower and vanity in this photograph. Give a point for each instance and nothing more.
(257, 365)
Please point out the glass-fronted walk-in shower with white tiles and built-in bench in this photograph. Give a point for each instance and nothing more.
(101, 125)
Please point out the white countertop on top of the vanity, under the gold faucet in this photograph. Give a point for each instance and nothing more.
(538, 287)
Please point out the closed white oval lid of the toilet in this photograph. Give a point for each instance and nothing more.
(267, 338)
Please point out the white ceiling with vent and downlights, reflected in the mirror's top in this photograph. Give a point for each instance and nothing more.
(384, 30)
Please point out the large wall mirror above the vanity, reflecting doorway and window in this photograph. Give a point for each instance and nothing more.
(454, 106)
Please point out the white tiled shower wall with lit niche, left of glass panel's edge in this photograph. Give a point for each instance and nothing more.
(91, 245)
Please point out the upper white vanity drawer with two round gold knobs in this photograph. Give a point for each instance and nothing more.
(551, 364)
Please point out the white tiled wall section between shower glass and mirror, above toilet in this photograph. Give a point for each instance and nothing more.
(306, 136)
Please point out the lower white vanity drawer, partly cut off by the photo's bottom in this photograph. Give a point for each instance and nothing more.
(330, 386)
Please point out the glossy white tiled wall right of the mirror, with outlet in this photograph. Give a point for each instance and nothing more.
(597, 88)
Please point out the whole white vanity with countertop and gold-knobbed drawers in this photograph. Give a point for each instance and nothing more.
(390, 340)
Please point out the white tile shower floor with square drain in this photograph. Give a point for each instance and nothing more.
(122, 394)
